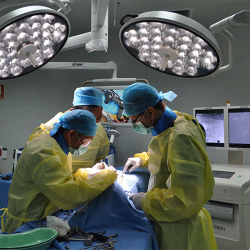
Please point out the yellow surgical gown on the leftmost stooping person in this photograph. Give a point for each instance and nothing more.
(42, 182)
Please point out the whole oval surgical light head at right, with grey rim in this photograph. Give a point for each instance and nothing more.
(171, 43)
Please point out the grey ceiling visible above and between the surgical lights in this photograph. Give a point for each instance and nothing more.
(206, 12)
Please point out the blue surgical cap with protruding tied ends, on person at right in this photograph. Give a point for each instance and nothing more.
(139, 96)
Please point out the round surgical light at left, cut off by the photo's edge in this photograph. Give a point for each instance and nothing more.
(29, 38)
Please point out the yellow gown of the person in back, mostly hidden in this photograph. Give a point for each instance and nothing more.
(98, 150)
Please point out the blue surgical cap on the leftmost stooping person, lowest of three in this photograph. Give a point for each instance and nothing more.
(82, 121)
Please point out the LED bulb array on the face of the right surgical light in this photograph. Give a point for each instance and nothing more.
(146, 40)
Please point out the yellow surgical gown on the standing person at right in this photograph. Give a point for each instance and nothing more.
(181, 183)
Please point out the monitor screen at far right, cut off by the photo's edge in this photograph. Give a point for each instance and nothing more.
(239, 127)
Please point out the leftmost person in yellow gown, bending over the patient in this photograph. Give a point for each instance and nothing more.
(42, 182)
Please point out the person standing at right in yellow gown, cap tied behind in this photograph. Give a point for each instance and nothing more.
(181, 179)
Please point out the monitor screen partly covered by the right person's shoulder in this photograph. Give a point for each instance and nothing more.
(213, 122)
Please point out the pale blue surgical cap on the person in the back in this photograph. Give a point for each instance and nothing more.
(87, 96)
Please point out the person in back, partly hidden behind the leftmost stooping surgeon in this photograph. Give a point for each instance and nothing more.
(88, 98)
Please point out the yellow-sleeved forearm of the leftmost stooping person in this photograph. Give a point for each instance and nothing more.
(69, 192)
